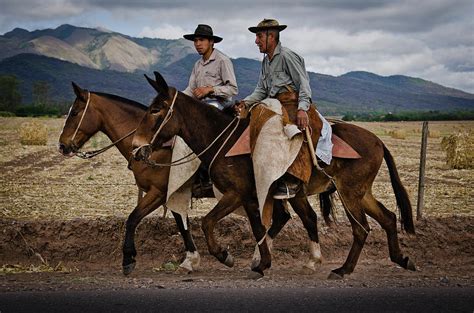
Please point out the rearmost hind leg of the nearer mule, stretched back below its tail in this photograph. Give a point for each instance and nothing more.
(388, 221)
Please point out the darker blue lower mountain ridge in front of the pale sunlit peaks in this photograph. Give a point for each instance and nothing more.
(352, 92)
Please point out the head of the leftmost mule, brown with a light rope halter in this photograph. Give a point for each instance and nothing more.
(81, 123)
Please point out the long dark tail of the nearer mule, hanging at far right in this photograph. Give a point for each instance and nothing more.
(403, 201)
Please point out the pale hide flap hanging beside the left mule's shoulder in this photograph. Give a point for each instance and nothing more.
(180, 182)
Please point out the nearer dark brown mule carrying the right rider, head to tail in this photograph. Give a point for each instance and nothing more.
(173, 113)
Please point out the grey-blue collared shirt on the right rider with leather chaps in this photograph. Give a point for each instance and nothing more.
(286, 68)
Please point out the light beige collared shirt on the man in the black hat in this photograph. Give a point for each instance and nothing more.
(217, 72)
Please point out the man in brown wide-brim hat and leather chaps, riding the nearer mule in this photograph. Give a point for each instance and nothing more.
(283, 76)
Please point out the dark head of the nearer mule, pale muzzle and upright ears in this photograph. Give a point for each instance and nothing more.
(159, 123)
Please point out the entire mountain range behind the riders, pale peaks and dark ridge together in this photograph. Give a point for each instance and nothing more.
(107, 61)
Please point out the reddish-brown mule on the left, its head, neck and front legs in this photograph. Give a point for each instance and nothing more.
(116, 117)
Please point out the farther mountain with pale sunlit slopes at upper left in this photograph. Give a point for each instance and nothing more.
(95, 48)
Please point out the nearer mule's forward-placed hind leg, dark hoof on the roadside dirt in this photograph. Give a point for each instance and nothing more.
(360, 231)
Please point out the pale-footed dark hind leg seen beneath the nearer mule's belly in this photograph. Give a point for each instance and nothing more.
(310, 222)
